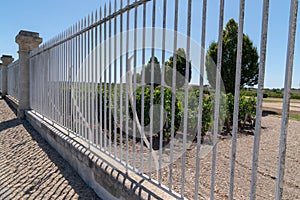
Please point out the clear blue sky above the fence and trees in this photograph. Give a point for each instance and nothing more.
(50, 17)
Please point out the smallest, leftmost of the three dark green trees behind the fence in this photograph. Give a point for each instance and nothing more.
(157, 72)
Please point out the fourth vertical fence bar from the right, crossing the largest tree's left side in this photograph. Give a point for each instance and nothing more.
(217, 100)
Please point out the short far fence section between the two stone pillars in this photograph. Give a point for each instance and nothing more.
(13, 79)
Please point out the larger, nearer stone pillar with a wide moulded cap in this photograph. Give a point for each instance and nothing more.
(27, 41)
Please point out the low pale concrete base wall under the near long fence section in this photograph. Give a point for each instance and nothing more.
(107, 177)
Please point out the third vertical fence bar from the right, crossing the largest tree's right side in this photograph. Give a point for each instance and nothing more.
(236, 96)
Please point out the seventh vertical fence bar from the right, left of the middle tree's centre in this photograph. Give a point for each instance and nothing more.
(173, 95)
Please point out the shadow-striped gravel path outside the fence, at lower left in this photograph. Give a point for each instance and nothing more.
(30, 168)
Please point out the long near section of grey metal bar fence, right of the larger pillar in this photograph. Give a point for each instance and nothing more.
(95, 80)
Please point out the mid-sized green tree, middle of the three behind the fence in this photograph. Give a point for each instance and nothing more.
(180, 69)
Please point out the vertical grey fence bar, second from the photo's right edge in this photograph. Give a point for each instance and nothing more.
(261, 79)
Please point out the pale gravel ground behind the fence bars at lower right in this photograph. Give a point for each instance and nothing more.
(267, 169)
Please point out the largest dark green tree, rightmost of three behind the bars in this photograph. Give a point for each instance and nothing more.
(249, 68)
